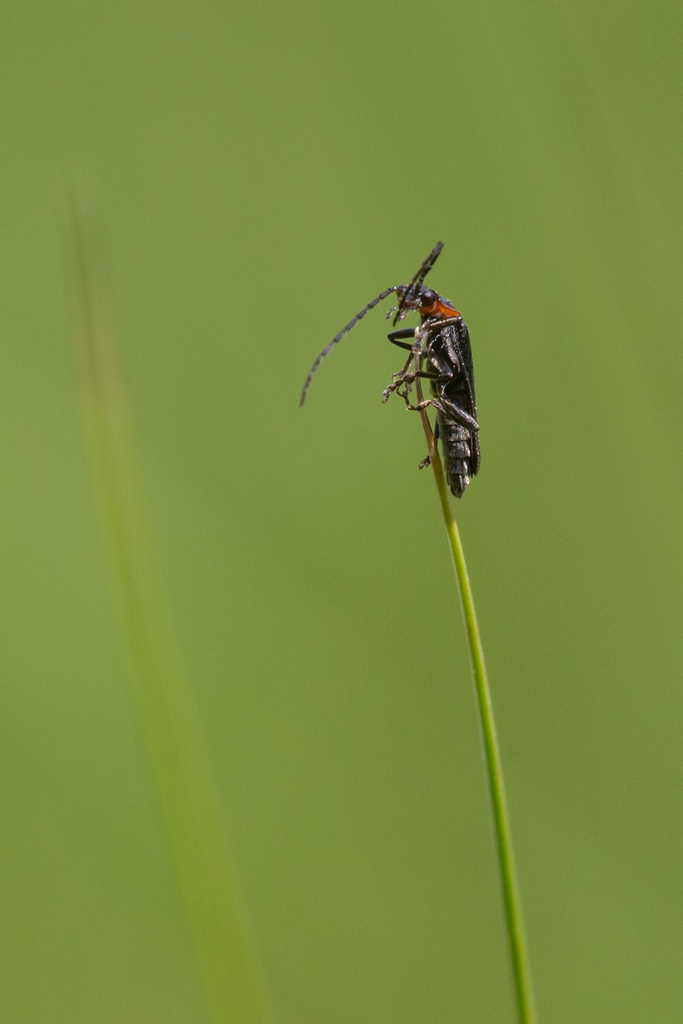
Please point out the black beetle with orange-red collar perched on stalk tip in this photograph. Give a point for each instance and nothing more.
(442, 352)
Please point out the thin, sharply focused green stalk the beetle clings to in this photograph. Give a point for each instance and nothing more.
(492, 756)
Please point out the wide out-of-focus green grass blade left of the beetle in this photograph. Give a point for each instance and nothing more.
(168, 717)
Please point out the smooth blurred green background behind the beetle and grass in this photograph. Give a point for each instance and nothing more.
(265, 172)
